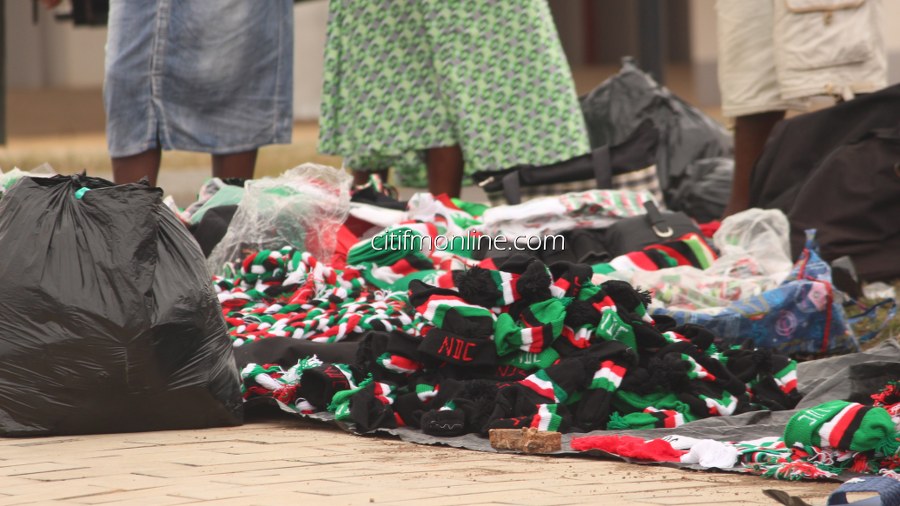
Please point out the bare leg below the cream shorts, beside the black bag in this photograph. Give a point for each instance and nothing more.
(750, 134)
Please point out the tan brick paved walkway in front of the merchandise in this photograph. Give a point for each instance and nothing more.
(297, 462)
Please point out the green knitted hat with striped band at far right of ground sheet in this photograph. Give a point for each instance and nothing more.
(845, 426)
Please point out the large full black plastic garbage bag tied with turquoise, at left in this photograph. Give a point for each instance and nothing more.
(108, 321)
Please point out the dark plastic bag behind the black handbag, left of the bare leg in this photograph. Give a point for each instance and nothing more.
(613, 110)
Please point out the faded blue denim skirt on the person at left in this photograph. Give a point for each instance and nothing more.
(212, 76)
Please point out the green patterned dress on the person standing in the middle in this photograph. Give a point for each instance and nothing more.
(402, 76)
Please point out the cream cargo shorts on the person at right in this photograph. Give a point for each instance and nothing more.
(774, 55)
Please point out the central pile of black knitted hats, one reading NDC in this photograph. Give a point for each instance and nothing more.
(519, 344)
